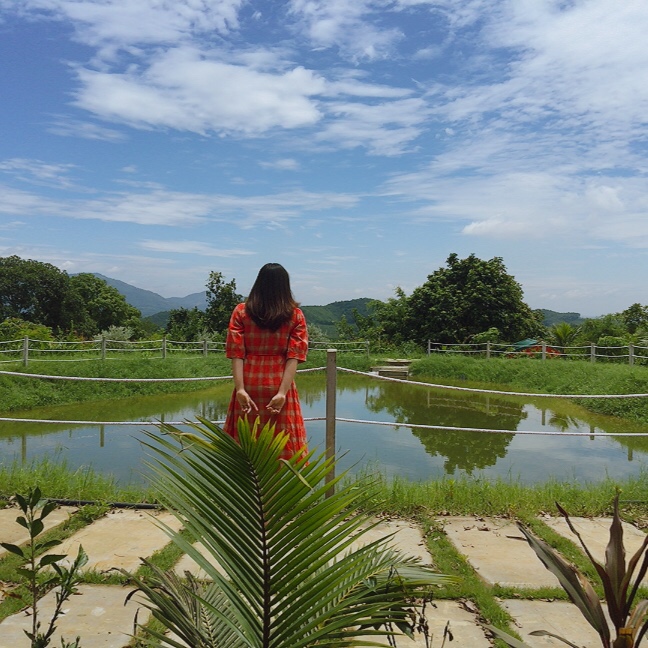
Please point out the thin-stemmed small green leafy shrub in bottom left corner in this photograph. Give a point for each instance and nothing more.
(37, 574)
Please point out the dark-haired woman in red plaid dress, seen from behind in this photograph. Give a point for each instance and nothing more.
(266, 339)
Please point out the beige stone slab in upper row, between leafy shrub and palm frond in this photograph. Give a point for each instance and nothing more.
(119, 539)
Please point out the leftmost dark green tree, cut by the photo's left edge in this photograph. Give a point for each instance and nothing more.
(36, 292)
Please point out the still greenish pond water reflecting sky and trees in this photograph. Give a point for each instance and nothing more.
(415, 453)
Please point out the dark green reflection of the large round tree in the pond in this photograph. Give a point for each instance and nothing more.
(466, 451)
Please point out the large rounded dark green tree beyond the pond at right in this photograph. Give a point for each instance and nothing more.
(469, 296)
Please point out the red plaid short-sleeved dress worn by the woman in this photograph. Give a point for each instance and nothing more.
(265, 353)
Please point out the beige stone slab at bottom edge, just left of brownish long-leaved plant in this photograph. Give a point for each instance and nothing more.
(560, 617)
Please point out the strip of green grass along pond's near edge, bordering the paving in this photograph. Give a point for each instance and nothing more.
(445, 496)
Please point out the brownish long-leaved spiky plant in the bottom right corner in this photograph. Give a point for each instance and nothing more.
(630, 621)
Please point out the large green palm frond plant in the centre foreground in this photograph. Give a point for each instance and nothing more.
(288, 576)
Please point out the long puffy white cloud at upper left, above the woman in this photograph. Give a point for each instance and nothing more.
(183, 90)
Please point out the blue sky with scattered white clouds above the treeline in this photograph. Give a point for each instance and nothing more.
(359, 143)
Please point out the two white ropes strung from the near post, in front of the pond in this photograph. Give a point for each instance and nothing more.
(336, 418)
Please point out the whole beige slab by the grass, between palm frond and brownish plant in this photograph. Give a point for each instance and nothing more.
(498, 551)
